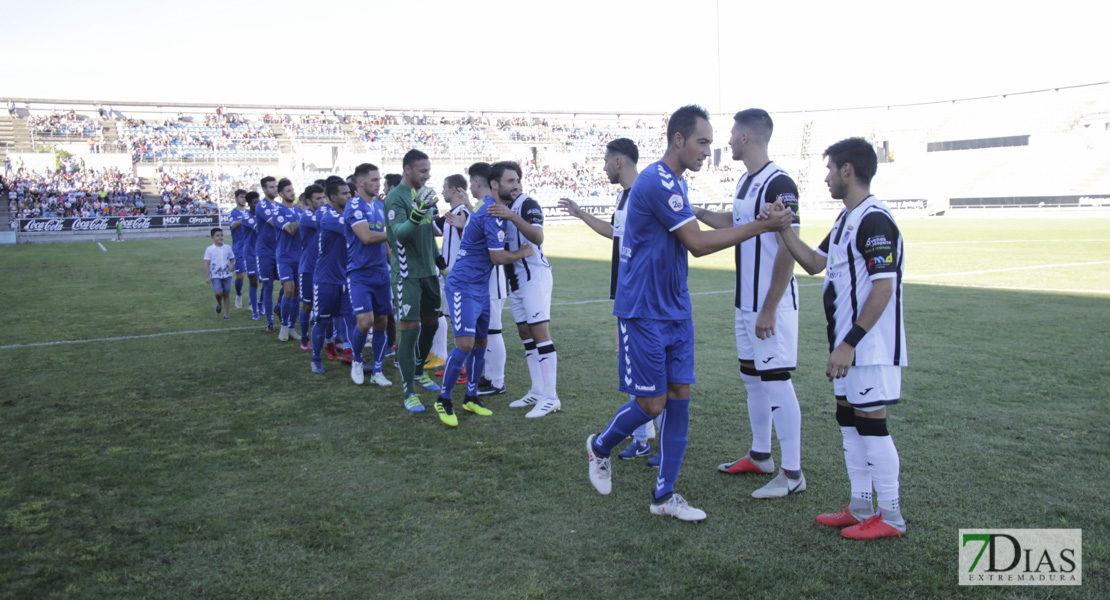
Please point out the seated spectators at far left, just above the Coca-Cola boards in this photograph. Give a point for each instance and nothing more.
(87, 194)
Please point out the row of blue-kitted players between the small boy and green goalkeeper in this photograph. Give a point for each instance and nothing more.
(329, 253)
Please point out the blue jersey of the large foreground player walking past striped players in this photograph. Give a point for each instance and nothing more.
(653, 265)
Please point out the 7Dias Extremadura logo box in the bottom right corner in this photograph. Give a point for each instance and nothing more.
(1022, 557)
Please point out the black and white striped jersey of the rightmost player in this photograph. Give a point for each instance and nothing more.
(865, 246)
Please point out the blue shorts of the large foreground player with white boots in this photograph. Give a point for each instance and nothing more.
(655, 353)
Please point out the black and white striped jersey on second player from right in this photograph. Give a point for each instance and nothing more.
(755, 258)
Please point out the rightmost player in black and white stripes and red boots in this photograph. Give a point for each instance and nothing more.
(864, 263)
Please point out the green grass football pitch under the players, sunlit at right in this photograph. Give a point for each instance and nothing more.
(211, 463)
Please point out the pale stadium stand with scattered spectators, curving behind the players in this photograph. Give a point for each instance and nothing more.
(936, 156)
